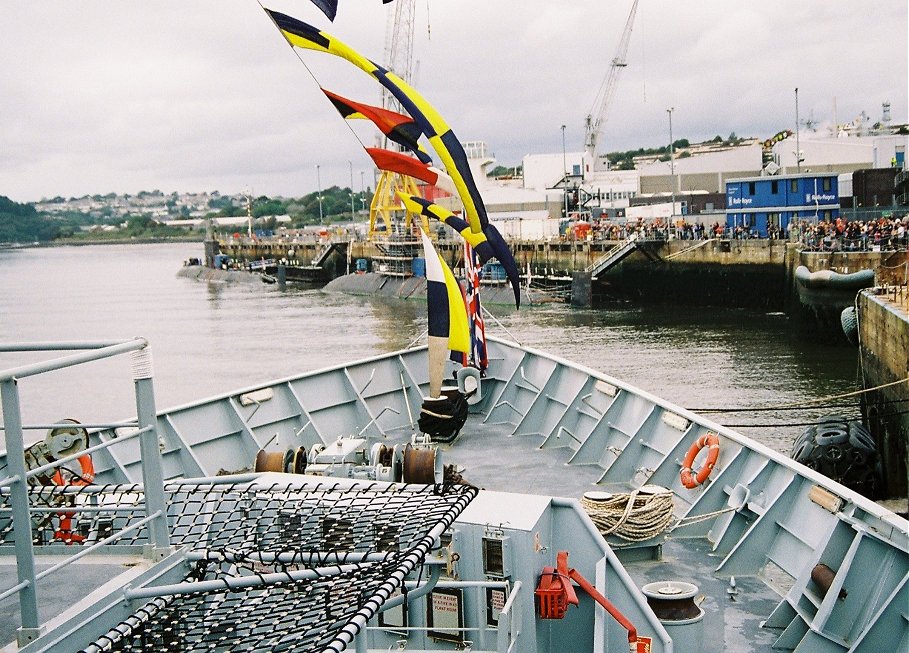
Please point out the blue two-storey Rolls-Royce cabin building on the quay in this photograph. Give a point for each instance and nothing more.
(765, 204)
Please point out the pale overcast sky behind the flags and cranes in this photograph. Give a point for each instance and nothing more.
(122, 96)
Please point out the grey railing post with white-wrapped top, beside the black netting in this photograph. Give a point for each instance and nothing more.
(152, 469)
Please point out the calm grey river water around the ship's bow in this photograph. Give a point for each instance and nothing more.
(211, 338)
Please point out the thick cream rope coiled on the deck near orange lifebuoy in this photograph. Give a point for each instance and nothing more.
(633, 517)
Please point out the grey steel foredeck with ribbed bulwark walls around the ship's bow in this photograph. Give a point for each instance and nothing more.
(546, 426)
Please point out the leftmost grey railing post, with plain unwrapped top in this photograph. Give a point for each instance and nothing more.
(22, 521)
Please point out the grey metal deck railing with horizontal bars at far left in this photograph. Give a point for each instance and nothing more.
(16, 484)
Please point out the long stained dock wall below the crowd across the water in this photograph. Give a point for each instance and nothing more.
(758, 273)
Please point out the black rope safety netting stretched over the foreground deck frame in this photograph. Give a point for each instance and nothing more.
(295, 566)
